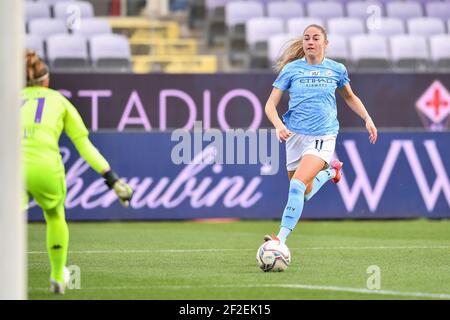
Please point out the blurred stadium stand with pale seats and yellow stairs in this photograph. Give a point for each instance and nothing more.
(223, 35)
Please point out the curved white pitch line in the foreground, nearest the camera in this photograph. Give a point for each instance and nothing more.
(286, 286)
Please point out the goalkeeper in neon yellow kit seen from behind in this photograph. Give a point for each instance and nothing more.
(44, 114)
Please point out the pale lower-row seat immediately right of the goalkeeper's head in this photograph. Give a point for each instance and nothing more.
(67, 53)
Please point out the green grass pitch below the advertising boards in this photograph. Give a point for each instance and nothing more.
(191, 260)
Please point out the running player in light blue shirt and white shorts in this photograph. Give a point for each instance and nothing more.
(310, 125)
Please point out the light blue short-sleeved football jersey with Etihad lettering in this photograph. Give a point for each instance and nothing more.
(312, 100)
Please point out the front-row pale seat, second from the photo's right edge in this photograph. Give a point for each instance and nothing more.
(409, 52)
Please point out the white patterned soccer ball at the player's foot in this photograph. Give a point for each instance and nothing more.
(273, 256)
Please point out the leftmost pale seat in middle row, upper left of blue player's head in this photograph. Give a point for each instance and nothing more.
(260, 29)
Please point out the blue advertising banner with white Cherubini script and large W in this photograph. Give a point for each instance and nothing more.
(404, 175)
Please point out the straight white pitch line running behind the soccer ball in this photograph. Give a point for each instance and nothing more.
(224, 250)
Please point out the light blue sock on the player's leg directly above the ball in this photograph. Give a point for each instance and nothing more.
(293, 209)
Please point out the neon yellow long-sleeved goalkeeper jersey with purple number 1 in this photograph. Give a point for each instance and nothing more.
(45, 114)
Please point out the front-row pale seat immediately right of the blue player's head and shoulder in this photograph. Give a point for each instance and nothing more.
(370, 52)
